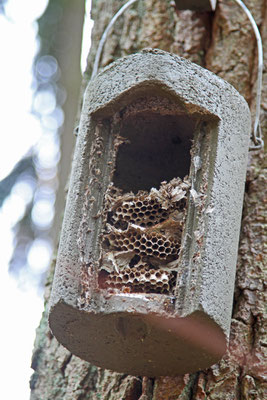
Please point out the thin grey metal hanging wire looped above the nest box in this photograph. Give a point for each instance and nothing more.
(256, 133)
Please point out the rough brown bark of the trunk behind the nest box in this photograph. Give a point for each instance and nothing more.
(224, 43)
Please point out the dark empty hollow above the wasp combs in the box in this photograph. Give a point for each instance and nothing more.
(157, 149)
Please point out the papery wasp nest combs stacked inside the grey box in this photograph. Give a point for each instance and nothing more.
(143, 239)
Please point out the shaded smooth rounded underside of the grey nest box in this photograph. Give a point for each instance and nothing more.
(139, 344)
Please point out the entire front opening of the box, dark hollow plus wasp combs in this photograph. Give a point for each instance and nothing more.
(146, 206)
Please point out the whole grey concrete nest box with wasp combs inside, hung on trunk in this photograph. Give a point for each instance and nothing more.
(145, 272)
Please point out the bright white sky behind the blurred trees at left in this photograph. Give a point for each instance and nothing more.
(21, 305)
